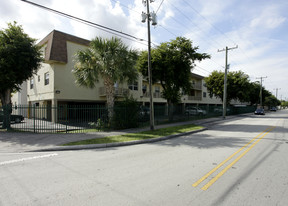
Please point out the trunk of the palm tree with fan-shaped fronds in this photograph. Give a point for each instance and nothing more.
(110, 93)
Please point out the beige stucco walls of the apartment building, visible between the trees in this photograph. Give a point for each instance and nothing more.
(62, 80)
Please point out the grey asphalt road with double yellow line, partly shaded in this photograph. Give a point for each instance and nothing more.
(242, 161)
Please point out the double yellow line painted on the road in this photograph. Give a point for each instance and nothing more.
(214, 179)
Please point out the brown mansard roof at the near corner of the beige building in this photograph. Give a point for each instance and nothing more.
(56, 50)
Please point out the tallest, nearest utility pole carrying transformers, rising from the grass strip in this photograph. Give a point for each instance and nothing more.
(150, 17)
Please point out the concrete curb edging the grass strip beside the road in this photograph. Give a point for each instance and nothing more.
(118, 144)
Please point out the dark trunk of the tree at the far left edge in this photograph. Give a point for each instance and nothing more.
(7, 108)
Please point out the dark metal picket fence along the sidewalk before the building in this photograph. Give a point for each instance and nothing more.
(89, 118)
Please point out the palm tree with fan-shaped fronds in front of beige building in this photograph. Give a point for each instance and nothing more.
(109, 59)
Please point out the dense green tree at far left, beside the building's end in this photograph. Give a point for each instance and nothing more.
(20, 58)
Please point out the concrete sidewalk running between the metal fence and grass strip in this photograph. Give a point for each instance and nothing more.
(24, 142)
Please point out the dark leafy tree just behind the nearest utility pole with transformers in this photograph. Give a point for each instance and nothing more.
(172, 63)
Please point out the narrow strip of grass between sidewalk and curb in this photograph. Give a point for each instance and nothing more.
(139, 136)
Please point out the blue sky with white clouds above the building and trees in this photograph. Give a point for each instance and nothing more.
(259, 29)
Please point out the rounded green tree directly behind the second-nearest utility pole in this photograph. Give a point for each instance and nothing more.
(238, 85)
